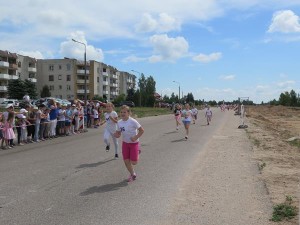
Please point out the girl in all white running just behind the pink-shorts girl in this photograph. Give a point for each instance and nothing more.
(111, 120)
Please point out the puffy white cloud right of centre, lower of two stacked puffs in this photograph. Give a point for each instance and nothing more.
(168, 49)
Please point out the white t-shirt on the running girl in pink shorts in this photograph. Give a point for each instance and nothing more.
(129, 128)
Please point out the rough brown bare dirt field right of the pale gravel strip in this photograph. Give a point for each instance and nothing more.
(279, 160)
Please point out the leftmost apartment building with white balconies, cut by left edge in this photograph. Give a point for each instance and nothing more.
(8, 70)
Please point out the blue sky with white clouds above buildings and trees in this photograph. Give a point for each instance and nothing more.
(214, 49)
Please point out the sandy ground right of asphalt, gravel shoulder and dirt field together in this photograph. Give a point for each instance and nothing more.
(227, 186)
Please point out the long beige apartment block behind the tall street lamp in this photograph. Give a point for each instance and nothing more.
(66, 79)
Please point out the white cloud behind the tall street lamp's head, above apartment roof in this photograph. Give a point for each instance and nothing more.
(72, 49)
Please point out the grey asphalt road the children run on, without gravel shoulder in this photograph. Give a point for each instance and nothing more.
(73, 180)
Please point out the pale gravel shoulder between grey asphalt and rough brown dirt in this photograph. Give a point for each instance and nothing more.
(225, 185)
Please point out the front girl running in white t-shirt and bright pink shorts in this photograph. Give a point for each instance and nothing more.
(132, 131)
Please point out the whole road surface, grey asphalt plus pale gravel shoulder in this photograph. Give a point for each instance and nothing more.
(209, 179)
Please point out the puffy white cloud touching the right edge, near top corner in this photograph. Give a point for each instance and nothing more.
(285, 21)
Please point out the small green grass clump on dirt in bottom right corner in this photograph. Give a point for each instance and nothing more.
(284, 210)
